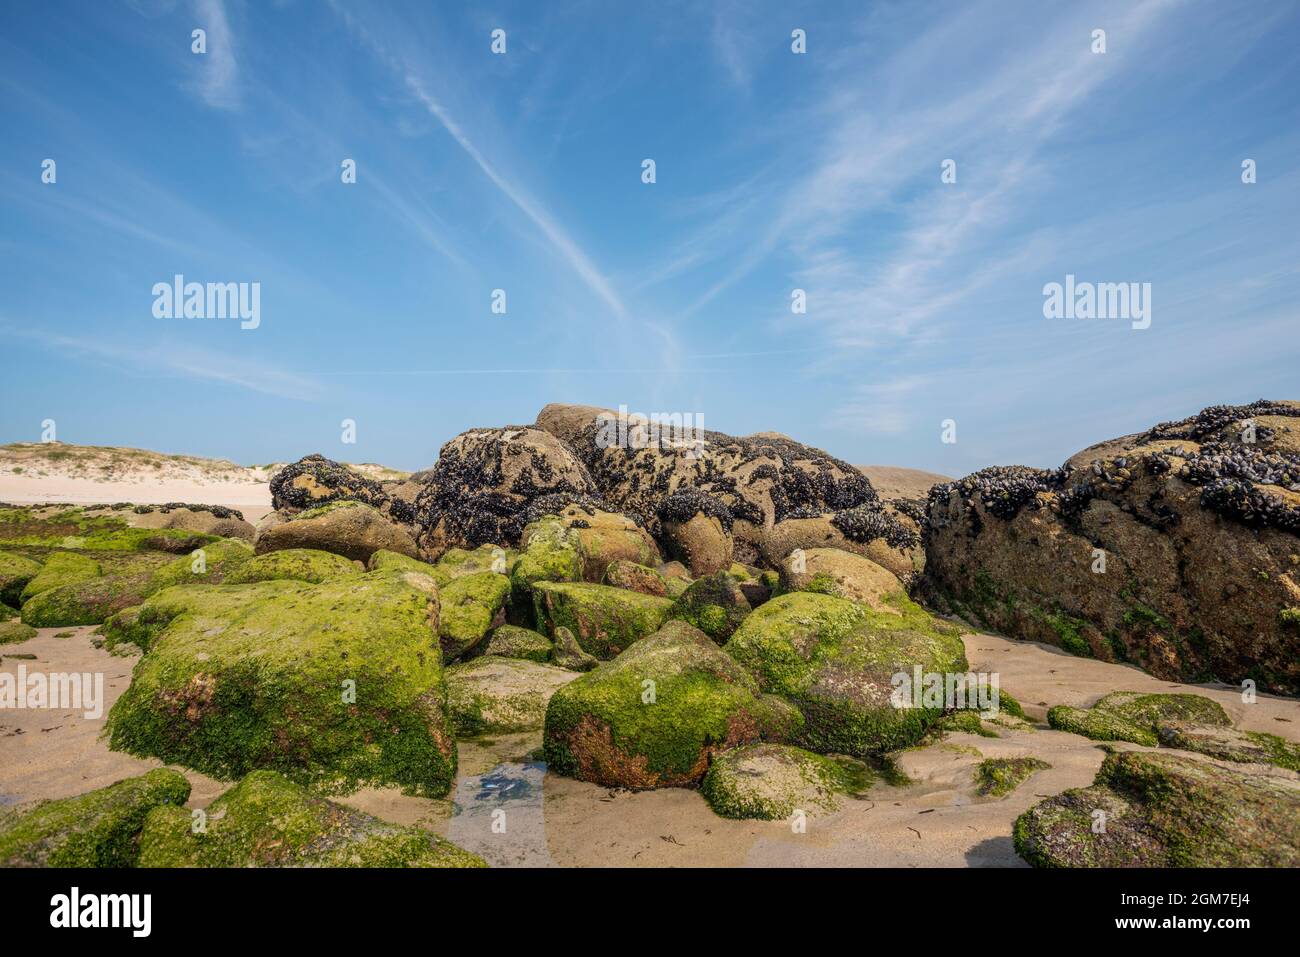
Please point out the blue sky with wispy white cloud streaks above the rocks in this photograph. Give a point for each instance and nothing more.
(523, 172)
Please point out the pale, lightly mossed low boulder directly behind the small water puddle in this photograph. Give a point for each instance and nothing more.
(497, 696)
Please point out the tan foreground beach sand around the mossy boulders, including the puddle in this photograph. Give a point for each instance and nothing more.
(514, 813)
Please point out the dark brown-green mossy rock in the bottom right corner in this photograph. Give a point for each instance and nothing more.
(1164, 811)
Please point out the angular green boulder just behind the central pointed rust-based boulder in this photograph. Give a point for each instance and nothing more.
(604, 620)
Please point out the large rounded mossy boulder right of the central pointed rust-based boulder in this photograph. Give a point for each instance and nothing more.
(837, 660)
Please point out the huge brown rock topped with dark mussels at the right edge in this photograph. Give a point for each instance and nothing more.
(1177, 549)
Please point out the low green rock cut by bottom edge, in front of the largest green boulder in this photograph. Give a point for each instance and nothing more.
(267, 821)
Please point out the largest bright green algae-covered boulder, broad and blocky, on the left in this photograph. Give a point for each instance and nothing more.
(336, 686)
